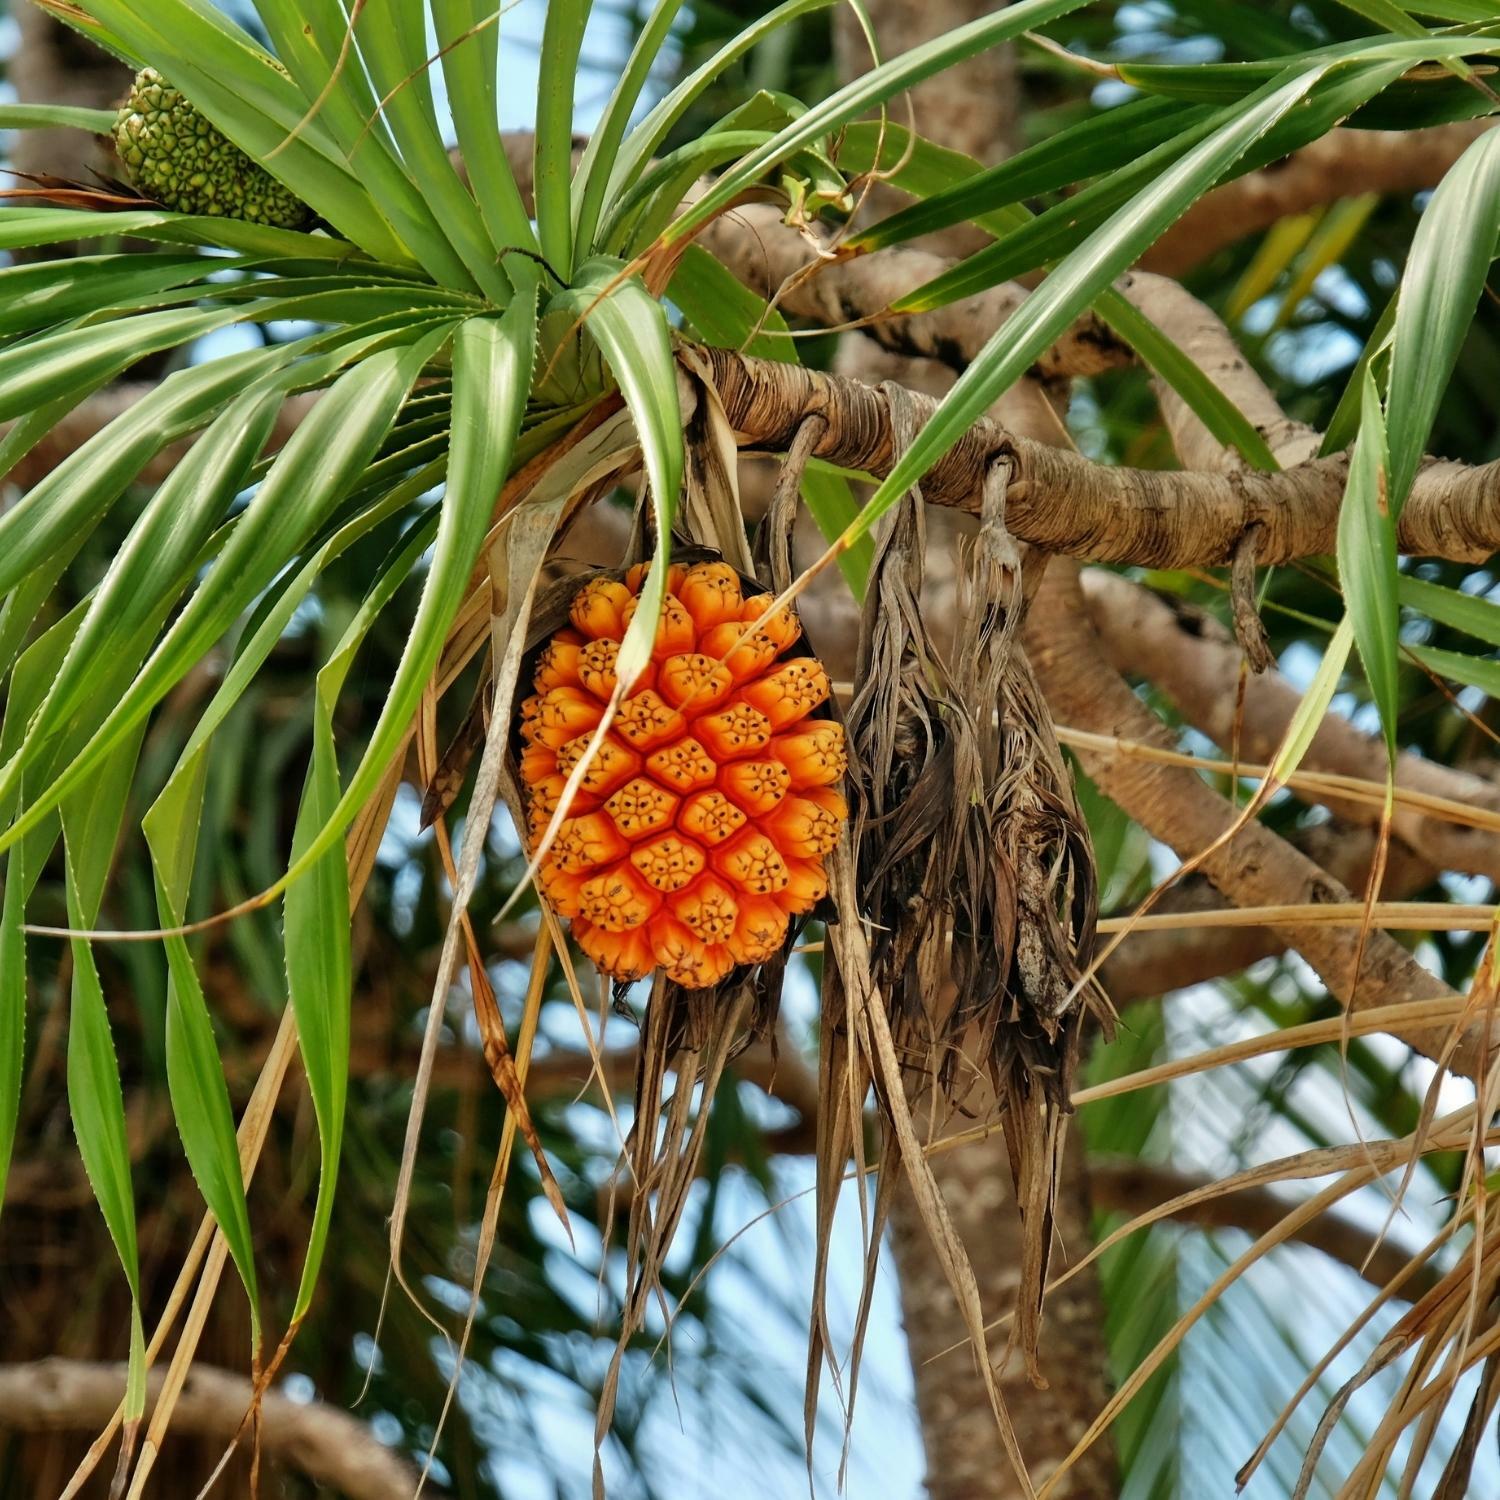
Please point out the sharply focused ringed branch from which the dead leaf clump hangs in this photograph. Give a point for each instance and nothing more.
(1063, 503)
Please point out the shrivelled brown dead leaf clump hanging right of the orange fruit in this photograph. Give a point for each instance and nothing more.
(976, 904)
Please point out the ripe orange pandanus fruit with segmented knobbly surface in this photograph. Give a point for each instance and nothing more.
(701, 826)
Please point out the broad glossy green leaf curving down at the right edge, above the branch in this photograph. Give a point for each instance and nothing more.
(1445, 274)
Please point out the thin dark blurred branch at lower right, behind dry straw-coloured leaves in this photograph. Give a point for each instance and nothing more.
(1138, 1187)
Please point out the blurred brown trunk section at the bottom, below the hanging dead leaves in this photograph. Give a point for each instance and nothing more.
(964, 1453)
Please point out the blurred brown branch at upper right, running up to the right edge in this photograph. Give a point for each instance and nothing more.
(1339, 166)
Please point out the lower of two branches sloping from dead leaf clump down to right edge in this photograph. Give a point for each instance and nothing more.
(1256, 868)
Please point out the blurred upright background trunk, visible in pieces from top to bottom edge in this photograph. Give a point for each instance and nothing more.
(976, 109)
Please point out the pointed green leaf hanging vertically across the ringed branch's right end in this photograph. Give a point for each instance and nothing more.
(1367, 565)
